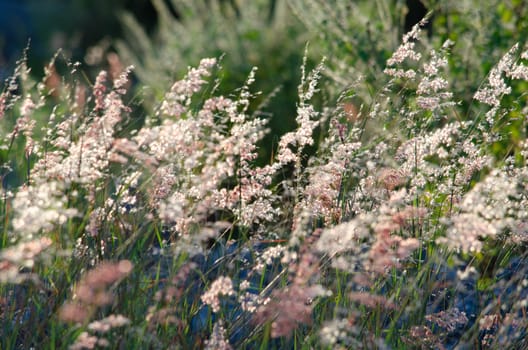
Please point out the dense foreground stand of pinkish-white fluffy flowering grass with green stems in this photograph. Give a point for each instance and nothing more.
(395, 221)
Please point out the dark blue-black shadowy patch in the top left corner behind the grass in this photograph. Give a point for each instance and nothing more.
(71, 25)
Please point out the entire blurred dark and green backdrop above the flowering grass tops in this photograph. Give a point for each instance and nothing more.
(161, 38)
